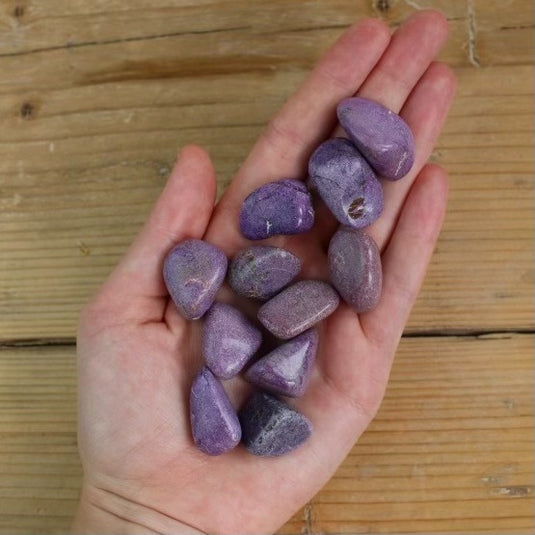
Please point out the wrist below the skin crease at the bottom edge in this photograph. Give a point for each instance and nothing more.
(103, 511)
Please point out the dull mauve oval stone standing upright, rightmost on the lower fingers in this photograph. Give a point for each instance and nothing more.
(355, 268)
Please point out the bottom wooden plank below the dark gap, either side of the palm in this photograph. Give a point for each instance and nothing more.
(451, 449)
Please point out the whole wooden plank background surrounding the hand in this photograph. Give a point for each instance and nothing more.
(95, 98)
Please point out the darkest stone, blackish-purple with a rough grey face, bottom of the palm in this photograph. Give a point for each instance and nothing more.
(270, 428)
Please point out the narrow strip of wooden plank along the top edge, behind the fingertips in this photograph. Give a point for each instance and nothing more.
(502, 31)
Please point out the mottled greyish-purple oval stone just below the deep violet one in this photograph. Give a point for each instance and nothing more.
(260, 271)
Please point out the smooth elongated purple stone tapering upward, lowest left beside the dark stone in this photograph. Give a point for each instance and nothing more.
(214, 422)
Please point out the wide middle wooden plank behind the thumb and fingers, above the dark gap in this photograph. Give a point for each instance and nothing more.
(78, 178)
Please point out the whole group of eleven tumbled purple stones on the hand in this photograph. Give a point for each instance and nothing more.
(344, 173)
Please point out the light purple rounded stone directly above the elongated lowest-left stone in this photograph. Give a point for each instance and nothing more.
(229, 340)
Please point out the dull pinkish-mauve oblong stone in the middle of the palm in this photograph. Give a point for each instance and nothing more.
(298, 307)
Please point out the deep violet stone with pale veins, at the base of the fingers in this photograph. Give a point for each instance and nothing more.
(280, 207)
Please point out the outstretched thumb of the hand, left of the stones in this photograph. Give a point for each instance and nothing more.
(182, 211)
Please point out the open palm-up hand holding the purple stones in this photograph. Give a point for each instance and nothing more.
(137, 356)
